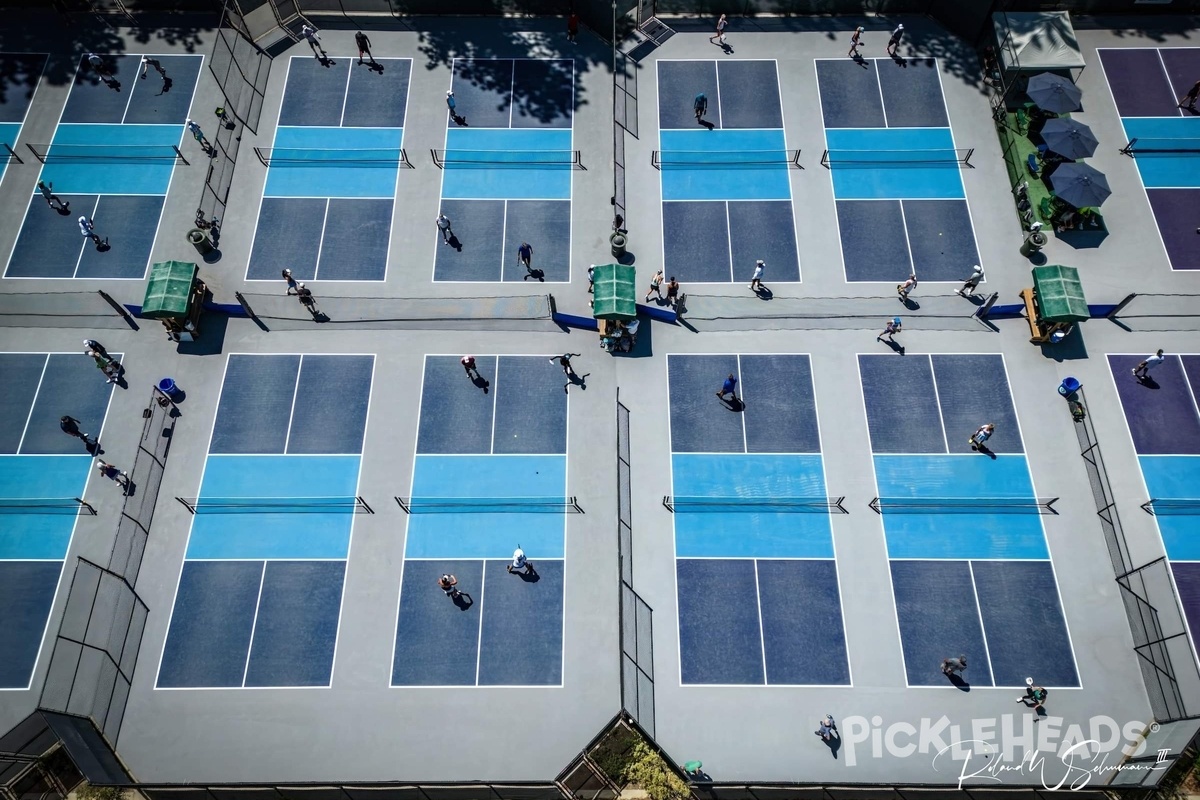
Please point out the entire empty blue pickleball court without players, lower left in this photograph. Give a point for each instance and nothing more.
(260, 592)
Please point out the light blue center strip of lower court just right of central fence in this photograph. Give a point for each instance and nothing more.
(741, 533)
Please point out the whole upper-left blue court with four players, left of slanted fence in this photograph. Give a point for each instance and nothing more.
(112, 159)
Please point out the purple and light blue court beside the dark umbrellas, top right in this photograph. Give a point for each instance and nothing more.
(1148, 85)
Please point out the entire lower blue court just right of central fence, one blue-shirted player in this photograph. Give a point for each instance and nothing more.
(759, 598)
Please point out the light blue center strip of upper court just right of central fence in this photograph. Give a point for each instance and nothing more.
(711, 182)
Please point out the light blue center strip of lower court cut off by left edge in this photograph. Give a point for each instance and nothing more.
(40, 536)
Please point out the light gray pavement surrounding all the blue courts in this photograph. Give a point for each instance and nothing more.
(361, 729)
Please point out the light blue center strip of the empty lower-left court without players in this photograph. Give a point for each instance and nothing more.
(287, 536)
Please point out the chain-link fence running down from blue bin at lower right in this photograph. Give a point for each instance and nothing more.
(1161, 636)
